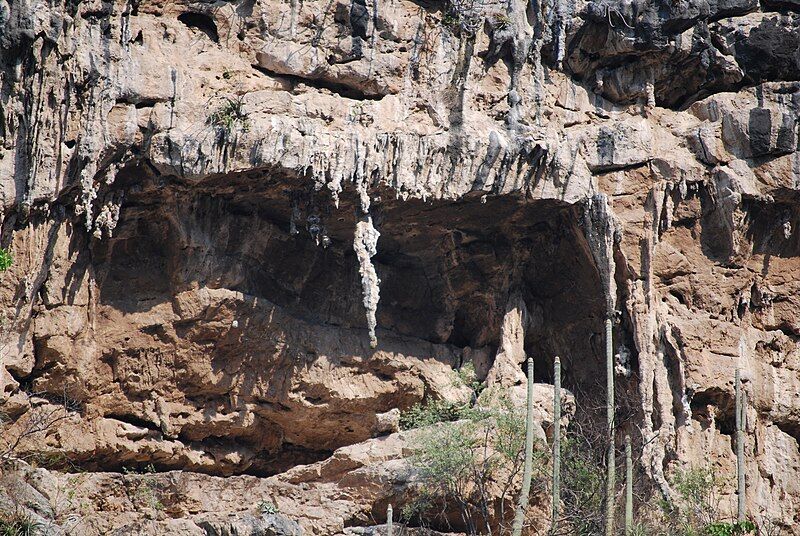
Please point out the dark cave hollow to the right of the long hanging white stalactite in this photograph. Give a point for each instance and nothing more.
(448, 269)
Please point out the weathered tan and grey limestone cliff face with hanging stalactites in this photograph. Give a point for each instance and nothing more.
(245, 232)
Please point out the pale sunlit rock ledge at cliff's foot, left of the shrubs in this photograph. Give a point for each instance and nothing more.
(349, 489)
